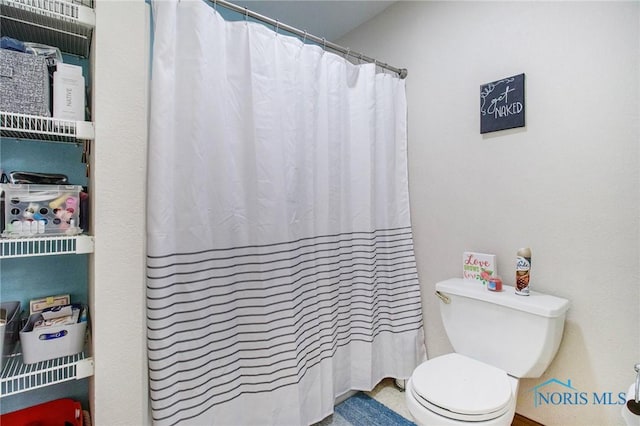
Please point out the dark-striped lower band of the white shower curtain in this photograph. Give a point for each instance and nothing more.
(313, 304)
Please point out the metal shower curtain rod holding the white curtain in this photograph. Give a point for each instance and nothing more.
(402, 72)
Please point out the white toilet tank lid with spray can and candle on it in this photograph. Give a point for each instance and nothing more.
(536, 303)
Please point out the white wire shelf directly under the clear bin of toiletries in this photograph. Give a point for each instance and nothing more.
(45, 246)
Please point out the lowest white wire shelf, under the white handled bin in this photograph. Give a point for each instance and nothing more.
(17, 377)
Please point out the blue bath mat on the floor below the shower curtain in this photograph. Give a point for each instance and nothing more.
(362, 410)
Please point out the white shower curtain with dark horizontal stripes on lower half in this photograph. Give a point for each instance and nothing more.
(281, 270)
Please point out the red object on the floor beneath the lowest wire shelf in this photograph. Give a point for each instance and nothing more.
(61, 412)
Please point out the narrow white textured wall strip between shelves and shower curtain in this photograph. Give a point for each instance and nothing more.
(120, 53)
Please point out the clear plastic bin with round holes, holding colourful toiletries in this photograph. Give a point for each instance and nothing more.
(32, 210)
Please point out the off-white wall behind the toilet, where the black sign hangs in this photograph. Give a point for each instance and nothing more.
(566, 185)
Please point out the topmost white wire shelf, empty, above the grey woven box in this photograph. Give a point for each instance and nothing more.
(58, 23)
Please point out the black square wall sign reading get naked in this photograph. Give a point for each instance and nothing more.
(502, 104)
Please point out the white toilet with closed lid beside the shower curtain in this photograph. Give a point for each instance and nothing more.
(498, 338)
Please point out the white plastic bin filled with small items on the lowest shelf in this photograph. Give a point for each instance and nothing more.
(54, 332)
